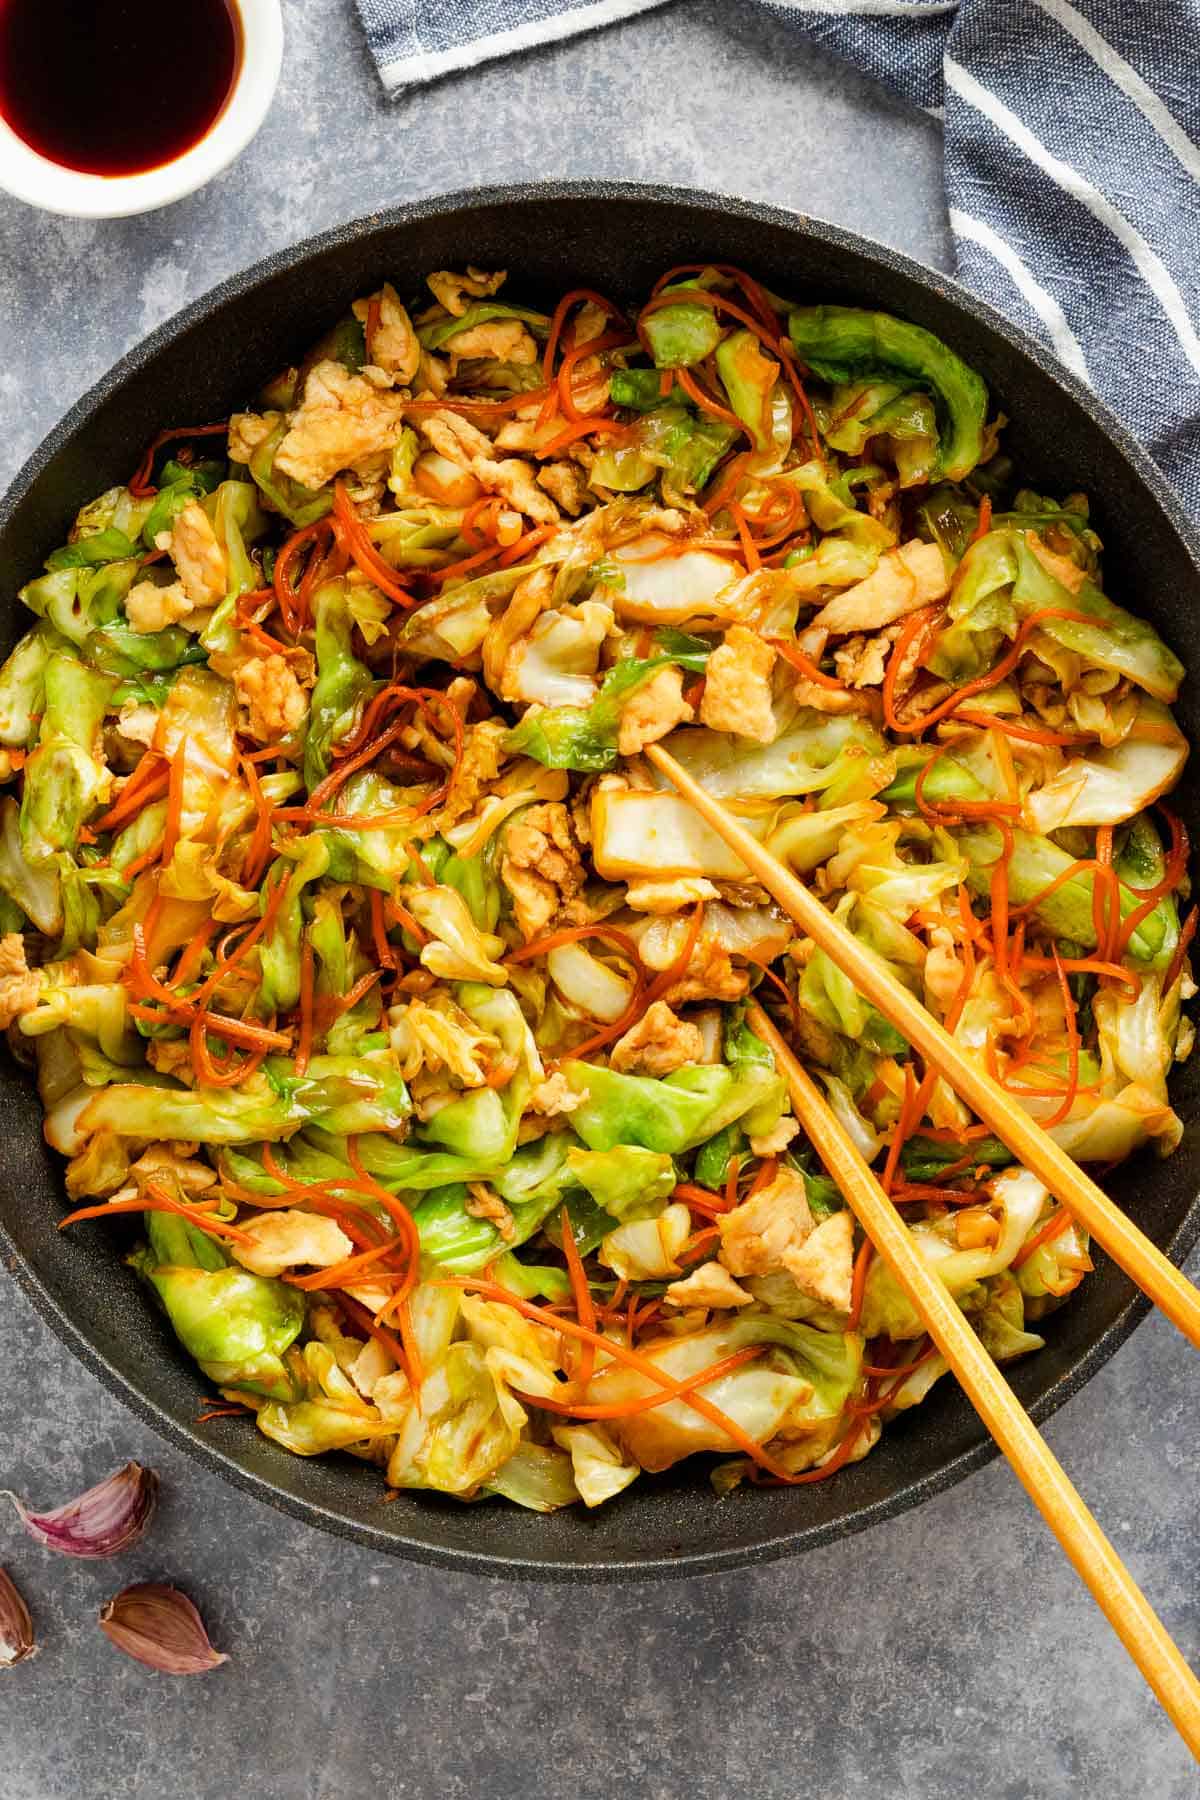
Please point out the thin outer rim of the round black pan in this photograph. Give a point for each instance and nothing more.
(801, 226)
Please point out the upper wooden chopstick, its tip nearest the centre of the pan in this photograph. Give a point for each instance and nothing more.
(1034, 1147)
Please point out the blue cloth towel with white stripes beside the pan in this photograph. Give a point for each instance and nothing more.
(1073, 163)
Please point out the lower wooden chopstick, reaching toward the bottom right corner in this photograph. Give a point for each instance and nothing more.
(1037, 1468)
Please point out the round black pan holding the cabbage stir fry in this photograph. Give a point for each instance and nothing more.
(616, 238)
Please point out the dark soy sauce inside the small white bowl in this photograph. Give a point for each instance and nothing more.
(116, 87)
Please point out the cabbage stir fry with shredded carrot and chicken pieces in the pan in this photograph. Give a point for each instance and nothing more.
(368, 962)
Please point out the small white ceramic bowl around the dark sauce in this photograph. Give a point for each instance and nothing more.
(107, 197)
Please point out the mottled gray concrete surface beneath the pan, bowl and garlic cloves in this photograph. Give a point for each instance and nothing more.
(951, 1653)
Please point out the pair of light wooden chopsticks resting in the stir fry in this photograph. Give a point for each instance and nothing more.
(1034, 1462)
